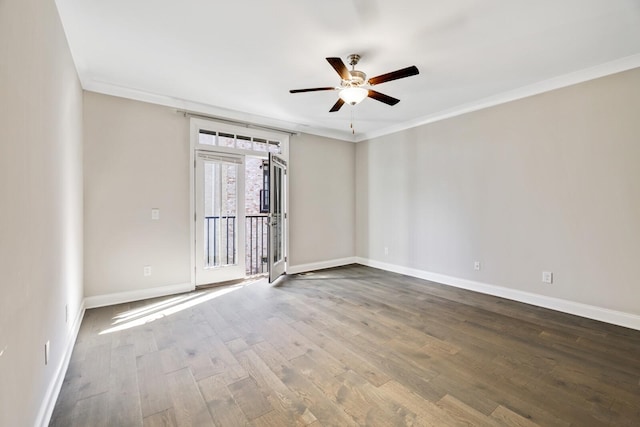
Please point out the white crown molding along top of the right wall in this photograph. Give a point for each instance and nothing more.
(602, 70)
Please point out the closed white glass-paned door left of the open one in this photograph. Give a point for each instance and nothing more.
(220, 217)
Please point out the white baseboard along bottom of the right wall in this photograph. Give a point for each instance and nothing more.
(614, 317)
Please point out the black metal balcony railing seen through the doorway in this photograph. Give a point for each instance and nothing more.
(256, 242)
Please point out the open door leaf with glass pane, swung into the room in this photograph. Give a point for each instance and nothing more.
(277, 217)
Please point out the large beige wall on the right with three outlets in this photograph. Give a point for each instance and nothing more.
(550, 182)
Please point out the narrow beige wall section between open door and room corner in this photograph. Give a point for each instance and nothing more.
(322, 207)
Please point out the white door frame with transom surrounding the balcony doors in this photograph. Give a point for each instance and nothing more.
(196, 124)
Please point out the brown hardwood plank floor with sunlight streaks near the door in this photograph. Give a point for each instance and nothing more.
(347, 346)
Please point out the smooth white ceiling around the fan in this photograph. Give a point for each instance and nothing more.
(238, 59)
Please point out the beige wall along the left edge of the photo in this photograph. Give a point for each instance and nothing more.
(41, 212)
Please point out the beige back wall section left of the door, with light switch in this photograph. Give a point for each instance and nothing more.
(136, 158)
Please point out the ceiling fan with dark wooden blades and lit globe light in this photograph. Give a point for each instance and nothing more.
(354, 86)
